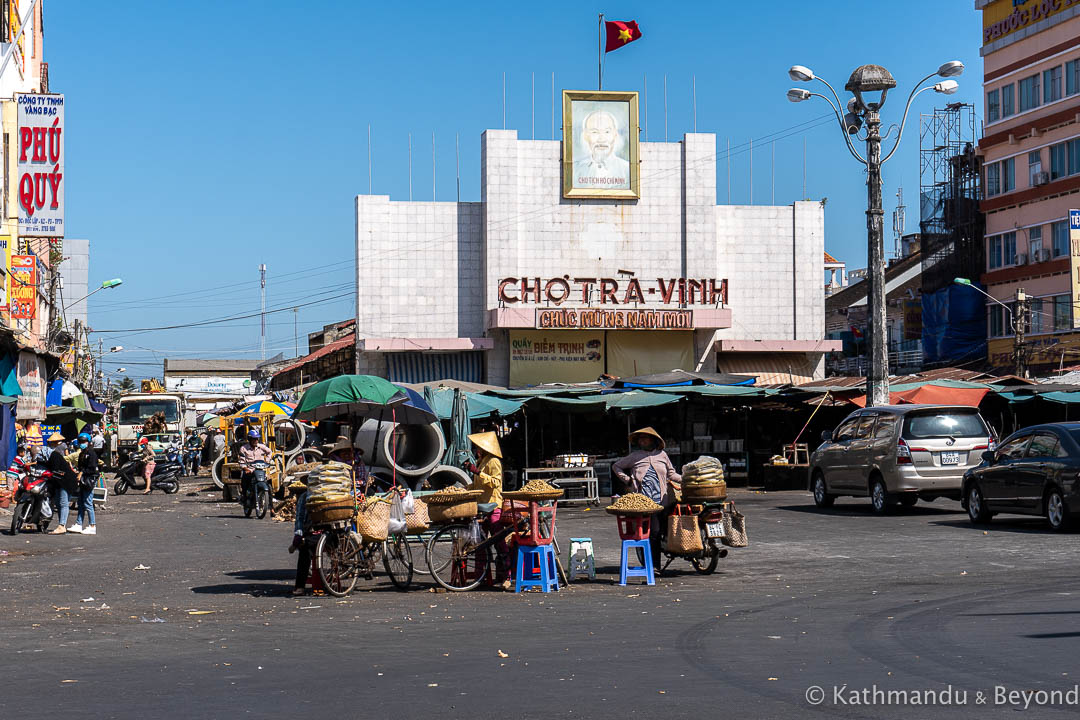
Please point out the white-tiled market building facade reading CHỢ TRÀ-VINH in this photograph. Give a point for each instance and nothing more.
(546, 282)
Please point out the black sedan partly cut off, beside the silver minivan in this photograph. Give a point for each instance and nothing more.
(1035, 471)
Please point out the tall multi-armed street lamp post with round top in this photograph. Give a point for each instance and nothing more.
(860, 111)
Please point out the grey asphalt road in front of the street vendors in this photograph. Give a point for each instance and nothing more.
(921, 602)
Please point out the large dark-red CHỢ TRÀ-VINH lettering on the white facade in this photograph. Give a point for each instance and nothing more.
(610, 291)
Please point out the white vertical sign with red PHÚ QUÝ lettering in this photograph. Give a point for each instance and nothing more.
(40, 154)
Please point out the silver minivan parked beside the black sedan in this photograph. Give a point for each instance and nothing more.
(899, 454)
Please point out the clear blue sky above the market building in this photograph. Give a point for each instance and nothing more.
(207, 138)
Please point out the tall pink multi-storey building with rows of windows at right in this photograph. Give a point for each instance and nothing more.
(1031, 151)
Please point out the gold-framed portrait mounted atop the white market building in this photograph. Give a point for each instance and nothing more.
(601, 160)
